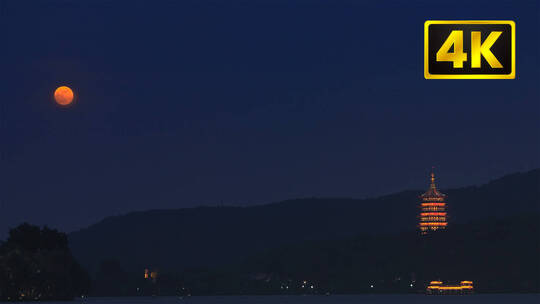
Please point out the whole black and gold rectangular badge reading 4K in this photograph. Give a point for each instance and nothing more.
(474, 49)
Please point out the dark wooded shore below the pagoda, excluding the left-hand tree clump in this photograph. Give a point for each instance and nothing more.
(498, 255)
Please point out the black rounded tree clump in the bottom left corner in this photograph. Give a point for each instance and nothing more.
(36, 264)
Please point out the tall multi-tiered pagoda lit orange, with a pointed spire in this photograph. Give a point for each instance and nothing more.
(433, 214)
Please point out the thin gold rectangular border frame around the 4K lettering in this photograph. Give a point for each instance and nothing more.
(427, 75)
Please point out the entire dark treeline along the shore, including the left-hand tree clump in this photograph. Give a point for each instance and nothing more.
(497, 255)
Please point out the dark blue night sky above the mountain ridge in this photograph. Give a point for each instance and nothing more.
(246, 102)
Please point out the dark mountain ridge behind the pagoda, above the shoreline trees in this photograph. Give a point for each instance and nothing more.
(174, 240)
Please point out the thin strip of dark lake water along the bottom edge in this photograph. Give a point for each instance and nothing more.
(334, 299)
